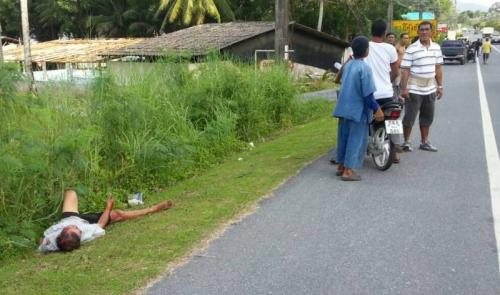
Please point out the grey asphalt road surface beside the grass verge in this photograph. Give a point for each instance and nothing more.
(425, 226)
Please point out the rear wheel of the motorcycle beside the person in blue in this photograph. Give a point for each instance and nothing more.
(384, 158)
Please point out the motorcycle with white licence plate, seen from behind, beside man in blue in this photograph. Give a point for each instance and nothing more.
(381, 146)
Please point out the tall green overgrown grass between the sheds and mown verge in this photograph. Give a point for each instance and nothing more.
(156, 125)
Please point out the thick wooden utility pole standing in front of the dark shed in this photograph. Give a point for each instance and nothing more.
(281, 28)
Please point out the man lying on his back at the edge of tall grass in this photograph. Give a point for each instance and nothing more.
(75, 228)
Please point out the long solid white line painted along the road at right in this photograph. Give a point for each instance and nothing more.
(492, 158)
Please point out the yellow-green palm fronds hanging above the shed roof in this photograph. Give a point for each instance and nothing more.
(193, 12)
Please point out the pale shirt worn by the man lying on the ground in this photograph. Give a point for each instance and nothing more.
(89, 232)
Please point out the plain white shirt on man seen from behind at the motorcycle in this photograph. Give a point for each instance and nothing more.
(380, 58)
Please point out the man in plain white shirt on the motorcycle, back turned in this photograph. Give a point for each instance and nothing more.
(383, 60)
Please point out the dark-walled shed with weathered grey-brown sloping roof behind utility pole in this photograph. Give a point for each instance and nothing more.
(241, 40)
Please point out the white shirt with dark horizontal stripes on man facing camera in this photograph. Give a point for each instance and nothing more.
(422, 62)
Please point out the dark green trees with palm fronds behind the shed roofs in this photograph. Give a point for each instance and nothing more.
(51, 19)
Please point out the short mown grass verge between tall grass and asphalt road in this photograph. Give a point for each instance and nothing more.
(133, 253)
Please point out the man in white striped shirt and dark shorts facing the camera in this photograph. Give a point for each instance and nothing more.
(421, 84)
